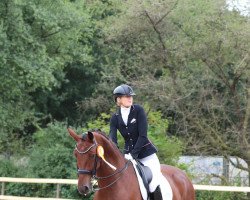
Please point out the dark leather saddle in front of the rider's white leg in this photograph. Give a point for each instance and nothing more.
(145, 173)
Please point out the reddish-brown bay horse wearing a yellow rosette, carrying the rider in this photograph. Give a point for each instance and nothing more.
(115, 175)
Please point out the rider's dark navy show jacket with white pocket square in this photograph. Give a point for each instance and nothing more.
(134, 134)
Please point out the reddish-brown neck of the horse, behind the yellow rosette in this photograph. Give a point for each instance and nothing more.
(122, 182)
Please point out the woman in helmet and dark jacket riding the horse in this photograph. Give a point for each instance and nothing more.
(131, 121)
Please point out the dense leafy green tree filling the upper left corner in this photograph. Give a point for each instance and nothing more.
(39, 39)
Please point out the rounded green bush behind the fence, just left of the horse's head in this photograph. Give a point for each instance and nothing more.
(51, 156)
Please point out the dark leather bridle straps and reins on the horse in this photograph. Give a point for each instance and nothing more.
(93, 171)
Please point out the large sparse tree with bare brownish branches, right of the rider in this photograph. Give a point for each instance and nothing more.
(190, 60)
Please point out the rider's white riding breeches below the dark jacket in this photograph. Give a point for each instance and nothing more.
(153, 163)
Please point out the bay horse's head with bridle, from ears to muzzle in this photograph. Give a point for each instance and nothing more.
(85, 153)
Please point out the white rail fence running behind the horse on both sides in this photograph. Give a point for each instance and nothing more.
(60, 182)
